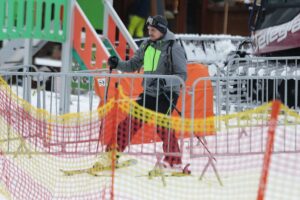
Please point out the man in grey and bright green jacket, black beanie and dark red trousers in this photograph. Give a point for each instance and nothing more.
(154, 57)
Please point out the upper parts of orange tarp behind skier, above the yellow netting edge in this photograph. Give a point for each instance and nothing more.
(203, 91)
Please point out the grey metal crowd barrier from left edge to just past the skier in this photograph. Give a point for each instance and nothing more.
(39, 121)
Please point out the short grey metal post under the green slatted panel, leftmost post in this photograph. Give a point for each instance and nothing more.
(27, 62)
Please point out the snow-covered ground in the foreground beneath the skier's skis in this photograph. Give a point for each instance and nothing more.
(239, 171)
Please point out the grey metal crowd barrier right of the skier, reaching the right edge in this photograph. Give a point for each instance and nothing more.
(242, 131)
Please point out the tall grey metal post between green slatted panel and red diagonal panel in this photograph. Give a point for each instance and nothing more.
(64, 106)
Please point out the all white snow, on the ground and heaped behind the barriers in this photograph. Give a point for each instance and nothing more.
(239, 174)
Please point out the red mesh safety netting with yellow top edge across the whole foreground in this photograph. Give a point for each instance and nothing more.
(57, 157)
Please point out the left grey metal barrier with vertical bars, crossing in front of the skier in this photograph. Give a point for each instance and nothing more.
(45, 96)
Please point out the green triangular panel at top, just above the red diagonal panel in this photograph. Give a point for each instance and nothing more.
(94, 10)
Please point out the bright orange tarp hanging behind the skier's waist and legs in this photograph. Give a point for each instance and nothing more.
(147, 122)
